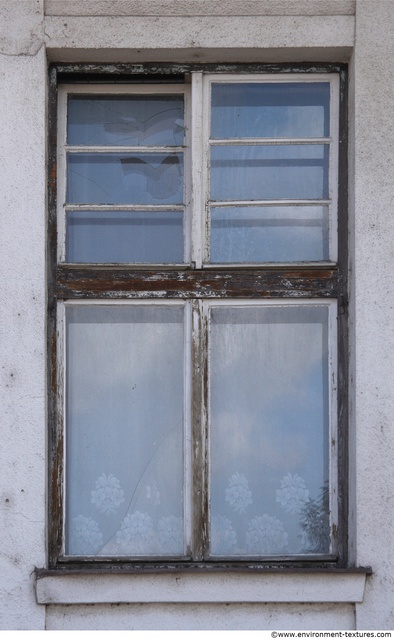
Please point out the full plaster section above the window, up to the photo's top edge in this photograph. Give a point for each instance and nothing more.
(199, 30)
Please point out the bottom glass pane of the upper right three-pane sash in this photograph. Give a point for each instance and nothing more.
(269, 234)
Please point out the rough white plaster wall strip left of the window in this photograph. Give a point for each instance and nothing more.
(22, 314)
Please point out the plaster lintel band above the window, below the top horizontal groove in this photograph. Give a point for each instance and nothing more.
(199, 38)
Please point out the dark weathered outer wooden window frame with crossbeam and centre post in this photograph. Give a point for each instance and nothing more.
(198, 281)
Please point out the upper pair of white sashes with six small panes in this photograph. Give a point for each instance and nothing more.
(237, 191)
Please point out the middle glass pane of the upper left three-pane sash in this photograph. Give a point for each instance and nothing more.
(154, 178)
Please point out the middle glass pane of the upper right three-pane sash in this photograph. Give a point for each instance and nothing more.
(253, 172)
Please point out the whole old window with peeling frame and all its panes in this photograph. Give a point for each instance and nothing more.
(199, 330)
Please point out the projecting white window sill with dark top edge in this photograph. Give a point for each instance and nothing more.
(266, 585)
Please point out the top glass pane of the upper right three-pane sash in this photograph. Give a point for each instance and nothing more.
(270, 110)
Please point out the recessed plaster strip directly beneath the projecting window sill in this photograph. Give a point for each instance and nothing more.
(220, 616)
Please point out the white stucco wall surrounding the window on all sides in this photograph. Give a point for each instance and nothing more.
(31, 32)
